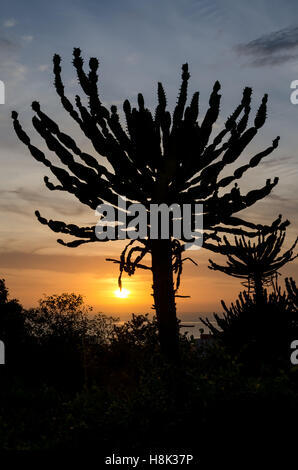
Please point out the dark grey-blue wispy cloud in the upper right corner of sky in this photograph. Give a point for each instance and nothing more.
(275, 48)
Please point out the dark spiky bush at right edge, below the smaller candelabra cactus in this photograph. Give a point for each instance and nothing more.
(259, 331)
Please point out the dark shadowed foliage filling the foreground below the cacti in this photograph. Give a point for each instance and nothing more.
(134, 402)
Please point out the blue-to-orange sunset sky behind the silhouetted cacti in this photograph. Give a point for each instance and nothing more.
(138, 43)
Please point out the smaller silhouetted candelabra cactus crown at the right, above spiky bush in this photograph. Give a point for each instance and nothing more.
(257, 262)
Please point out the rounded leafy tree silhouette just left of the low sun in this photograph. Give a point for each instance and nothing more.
(63, 331)
